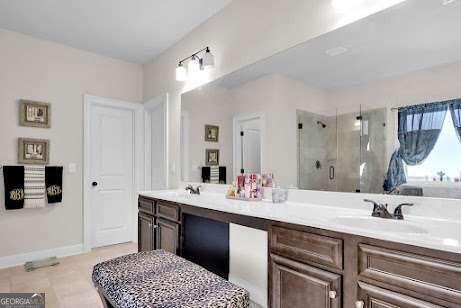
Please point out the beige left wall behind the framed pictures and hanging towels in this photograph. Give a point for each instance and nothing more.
(44, 71)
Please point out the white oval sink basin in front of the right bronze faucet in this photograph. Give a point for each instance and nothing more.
(379, 224)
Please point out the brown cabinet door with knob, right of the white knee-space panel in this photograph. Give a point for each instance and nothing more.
(294, 284)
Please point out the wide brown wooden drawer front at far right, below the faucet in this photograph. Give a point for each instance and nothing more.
(424, 275)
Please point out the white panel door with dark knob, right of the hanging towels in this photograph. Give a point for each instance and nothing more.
(112, 175)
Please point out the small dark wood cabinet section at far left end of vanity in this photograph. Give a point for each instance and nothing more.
(158, 226)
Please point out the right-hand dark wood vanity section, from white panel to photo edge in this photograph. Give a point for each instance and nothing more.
(316, 268)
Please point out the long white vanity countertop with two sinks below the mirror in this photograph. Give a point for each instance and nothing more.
(435, 233)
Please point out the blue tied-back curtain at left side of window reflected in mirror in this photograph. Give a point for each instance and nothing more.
(418, 131)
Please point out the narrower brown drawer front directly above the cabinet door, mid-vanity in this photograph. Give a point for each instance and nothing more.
(307, 247)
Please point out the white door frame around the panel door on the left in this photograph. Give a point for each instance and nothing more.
(138, 158)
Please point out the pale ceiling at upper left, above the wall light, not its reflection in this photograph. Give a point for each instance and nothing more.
(134, 31)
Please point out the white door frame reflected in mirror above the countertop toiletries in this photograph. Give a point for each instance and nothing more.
(236, 135)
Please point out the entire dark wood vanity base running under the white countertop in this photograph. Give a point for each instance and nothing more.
(316, 268)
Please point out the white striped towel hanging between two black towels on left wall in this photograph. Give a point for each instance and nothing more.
(34, 187)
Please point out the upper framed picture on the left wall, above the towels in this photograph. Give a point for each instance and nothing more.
(34, 114)
